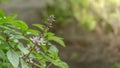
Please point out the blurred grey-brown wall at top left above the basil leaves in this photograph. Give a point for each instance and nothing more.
(27, 10)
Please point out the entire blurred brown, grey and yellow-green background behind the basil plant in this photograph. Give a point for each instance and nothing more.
(90, 28)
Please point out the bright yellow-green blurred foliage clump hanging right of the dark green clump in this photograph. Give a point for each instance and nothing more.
(81, 12)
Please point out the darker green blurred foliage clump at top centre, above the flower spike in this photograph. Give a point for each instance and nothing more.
(60, 9)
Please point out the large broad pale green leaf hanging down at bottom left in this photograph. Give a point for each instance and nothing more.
(13, 58)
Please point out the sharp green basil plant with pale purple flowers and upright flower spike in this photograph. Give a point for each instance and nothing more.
(23, 47)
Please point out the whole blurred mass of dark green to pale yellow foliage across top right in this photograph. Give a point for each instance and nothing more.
(88, 13)
